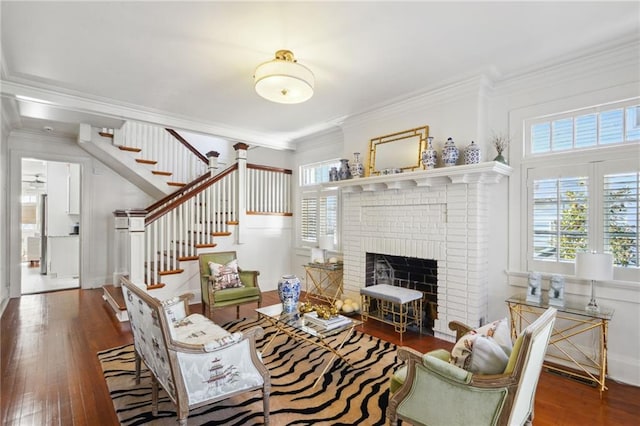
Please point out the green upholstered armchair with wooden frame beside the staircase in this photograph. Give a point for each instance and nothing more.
(216, 299)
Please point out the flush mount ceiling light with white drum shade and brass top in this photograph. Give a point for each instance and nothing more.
(284, 80)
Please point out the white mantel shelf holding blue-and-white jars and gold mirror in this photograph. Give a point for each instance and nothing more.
(488, 172)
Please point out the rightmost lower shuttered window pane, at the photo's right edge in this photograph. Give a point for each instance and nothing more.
(621, 214)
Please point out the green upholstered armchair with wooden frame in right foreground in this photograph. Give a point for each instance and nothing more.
(428, 390)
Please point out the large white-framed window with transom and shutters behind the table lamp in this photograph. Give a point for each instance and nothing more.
(583, 186)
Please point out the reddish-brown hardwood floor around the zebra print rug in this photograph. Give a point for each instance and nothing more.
(50, 374)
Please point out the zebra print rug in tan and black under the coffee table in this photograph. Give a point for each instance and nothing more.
(344, 396)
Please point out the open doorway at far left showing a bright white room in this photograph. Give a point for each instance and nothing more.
(50, 226)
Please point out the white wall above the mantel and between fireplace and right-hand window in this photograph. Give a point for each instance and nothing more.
(472, 110)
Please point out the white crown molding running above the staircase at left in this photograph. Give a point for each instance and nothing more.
(113, 109)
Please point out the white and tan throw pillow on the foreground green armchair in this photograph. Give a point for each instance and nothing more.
(484, 350)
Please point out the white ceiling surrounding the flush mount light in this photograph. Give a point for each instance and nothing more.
(190, 65)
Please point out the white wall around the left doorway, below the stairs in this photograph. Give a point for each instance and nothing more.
(102, 192)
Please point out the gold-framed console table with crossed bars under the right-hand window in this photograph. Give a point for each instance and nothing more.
(572, 324)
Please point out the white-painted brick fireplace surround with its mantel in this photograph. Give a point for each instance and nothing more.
(439, 215)
